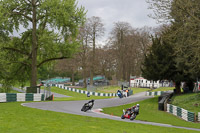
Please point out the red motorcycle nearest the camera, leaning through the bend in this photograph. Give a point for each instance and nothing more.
(129, 113)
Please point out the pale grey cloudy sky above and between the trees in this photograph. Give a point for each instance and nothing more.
(132, 11)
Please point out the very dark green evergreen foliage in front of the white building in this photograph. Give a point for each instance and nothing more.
(159, 63)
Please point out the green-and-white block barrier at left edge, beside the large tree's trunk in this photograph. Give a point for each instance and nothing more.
(18, 97)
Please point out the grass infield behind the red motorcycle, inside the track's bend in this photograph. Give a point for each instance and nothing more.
(149, 112)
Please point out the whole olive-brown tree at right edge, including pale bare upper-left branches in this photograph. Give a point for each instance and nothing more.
(184, 19)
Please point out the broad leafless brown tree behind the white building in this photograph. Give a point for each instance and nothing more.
(130, 46)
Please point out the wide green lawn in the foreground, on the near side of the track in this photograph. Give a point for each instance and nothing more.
(15, 118)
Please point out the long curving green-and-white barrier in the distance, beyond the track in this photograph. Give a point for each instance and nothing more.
(84, 92)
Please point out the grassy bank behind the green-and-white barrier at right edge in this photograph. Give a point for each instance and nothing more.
(189, 101)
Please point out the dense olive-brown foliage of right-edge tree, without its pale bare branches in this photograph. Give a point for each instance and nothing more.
(186, 28)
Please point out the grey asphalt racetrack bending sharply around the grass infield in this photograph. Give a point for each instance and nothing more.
(74, 107)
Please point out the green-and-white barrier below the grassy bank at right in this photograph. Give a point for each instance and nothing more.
(182, 113)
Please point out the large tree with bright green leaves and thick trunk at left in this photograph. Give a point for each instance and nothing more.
(40, 43)
